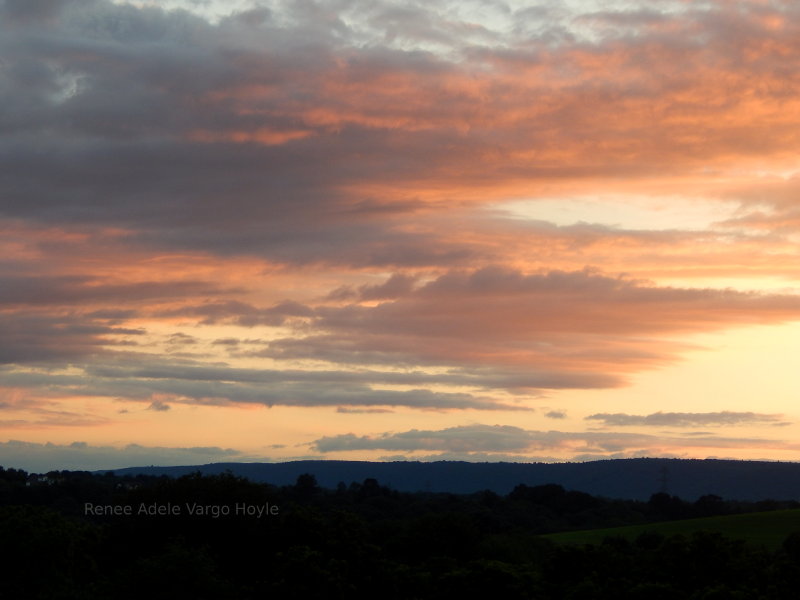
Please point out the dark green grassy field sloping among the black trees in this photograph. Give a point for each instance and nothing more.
(765, 528)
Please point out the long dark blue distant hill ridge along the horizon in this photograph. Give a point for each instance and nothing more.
(636, 478)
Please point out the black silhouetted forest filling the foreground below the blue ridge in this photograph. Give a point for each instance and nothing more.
(81, 535)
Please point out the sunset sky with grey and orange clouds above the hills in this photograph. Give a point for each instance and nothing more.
(393, 230)
